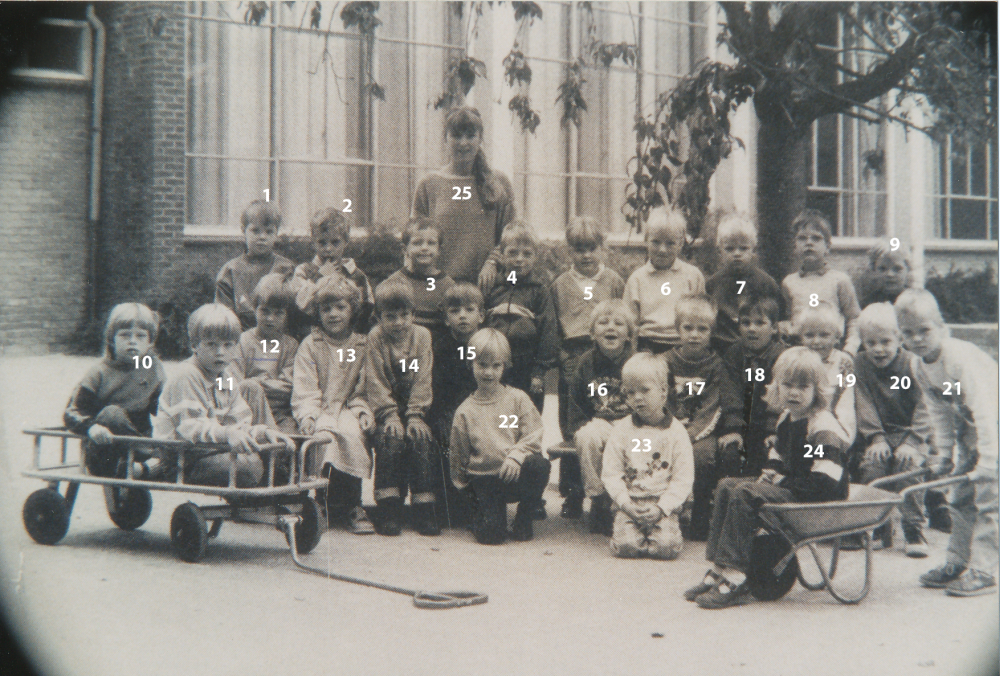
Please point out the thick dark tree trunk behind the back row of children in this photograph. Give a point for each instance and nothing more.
(781, 192)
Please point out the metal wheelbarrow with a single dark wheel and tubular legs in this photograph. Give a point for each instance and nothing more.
(788, 527)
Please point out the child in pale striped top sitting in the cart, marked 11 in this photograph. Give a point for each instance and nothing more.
(200, 404)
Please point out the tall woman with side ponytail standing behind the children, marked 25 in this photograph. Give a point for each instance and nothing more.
(469, 202)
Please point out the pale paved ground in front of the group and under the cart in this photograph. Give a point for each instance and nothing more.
(108, 602)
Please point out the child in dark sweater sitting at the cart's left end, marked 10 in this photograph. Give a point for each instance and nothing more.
(118, 395)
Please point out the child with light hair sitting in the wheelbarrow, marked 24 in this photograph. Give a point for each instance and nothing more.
(805, 464)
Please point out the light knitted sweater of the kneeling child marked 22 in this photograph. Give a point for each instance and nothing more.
(479, 445)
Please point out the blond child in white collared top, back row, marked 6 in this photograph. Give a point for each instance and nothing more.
(653, 289)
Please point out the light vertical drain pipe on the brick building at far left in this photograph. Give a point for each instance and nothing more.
(96, 135)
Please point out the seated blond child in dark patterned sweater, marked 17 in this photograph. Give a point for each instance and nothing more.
(703, 400)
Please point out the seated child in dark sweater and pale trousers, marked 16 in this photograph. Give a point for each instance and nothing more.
(596, 401)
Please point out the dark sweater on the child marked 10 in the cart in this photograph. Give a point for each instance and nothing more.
(135, 390)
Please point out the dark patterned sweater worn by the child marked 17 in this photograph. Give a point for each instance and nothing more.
(701, 395)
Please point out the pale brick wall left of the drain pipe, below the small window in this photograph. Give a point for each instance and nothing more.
(44, 155)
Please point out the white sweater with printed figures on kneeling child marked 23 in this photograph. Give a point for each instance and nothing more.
(662, 469)
